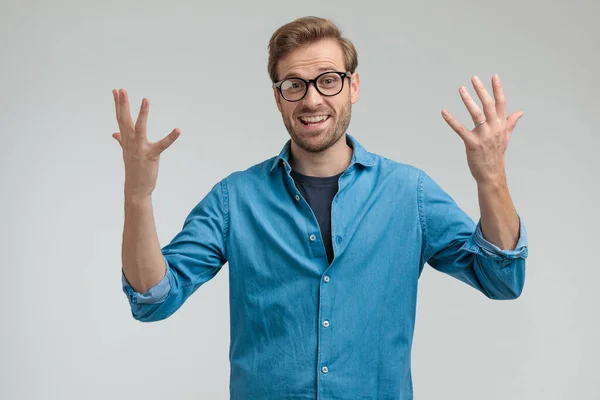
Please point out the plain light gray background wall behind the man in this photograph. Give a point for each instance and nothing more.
(66, 328)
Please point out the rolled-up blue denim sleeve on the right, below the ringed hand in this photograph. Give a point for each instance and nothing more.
(453, 244)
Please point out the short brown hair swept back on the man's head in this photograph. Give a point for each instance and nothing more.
(303, 31)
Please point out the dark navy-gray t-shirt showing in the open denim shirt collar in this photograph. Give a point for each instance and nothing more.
(319, 192)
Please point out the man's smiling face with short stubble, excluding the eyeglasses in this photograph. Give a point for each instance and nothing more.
(307, 62)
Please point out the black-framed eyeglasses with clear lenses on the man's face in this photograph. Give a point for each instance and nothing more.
(327, 84)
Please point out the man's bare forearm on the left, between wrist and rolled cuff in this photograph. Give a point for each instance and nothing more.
(143, 262)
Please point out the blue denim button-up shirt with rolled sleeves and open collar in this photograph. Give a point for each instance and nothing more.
(301, 328)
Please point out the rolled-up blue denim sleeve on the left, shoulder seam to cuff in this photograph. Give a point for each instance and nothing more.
(194, 256)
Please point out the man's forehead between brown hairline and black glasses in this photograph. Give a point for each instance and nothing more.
(310, 60)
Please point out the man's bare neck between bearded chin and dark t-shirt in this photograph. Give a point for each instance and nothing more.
(330, 162)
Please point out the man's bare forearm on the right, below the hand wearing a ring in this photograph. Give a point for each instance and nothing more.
(499, 219)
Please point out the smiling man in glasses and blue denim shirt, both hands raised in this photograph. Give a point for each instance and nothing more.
(326, 241)
